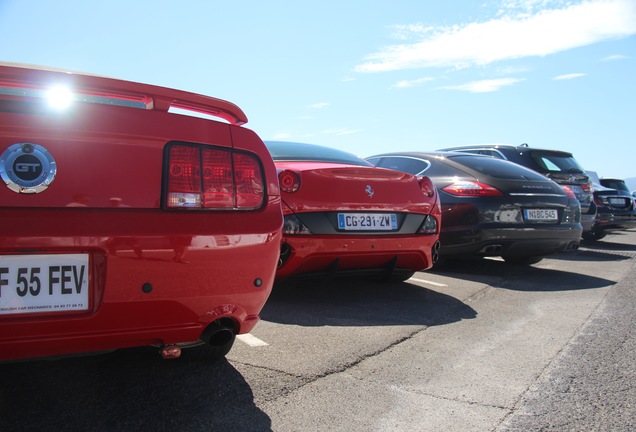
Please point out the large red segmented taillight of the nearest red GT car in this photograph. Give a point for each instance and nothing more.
(213, 178)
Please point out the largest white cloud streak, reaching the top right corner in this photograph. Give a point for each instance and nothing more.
(534, 33)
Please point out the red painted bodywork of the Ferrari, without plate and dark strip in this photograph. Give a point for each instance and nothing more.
(335, 187)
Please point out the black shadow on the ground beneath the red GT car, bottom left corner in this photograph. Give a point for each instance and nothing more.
(126, 390)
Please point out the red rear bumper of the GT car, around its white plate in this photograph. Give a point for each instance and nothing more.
(146, 289)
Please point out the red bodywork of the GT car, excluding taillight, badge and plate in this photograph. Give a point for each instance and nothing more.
(156, 275)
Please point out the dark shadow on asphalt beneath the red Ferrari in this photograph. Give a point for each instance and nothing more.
(361, 302)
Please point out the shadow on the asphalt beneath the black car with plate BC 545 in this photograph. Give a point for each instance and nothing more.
(499, 274)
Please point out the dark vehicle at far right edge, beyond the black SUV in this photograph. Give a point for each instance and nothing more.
(614, 208)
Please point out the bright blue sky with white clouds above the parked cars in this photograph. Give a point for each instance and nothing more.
(369, 76)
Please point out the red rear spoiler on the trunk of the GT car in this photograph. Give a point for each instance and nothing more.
(32, 81)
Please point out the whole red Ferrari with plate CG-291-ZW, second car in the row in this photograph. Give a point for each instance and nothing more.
(344, 216)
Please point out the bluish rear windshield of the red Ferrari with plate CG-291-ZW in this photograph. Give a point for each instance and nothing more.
(291, 151)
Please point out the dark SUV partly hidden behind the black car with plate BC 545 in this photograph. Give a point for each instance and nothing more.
(557, 165)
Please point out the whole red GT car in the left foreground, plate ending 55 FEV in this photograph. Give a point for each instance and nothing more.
(125, 223)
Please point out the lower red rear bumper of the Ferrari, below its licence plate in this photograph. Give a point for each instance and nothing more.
(355, 254)
